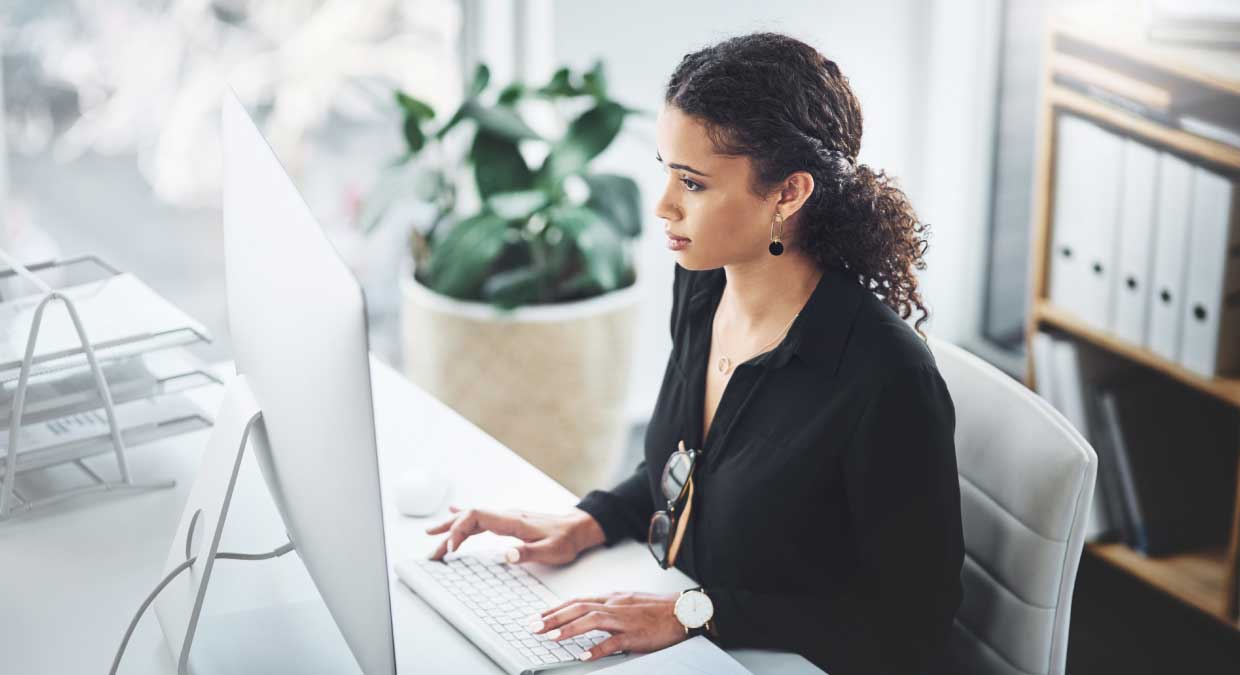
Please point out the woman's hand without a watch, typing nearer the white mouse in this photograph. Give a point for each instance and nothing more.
(551, 539)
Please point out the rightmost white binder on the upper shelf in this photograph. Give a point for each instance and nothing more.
(1210, 343)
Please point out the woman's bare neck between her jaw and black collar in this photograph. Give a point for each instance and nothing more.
(767, 292)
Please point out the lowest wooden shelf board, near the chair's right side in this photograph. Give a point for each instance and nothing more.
(1196, 578)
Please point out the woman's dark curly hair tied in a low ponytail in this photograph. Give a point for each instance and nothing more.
(788, 109)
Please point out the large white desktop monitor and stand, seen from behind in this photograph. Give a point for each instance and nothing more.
(298, 322)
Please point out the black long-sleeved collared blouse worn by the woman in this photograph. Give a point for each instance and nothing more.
(826, 517)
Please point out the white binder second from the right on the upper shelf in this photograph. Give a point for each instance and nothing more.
(1171, 244)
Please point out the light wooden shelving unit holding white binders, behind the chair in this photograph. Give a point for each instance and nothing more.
(1110, 37)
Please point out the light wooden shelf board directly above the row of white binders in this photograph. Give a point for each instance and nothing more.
(1146, 130)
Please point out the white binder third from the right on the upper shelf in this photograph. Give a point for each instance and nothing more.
(1136, 231)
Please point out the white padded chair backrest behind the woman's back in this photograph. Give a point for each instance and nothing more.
(1026, 487)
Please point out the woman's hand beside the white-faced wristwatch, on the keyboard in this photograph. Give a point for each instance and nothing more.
(638, 622)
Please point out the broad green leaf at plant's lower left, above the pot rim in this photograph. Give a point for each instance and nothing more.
(461, 260)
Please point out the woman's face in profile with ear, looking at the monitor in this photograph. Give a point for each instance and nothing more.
(706, 199)
